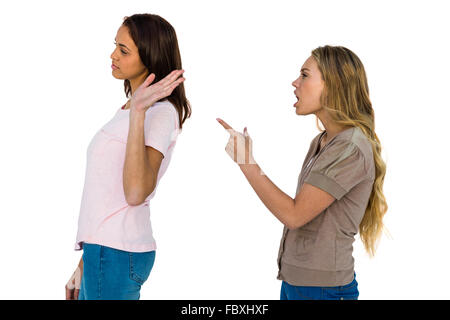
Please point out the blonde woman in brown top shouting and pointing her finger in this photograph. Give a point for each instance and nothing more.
(340, 186)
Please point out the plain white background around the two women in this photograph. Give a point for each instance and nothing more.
(215, 238)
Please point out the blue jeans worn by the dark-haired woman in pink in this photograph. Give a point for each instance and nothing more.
(112, 274)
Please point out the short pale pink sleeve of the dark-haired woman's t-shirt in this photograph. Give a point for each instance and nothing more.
(160, 129)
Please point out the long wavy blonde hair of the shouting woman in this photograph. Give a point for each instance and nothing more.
(346, 98)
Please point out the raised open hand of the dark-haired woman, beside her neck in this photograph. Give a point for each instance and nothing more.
(146, 95)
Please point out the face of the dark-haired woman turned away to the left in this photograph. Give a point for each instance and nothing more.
(126, 57)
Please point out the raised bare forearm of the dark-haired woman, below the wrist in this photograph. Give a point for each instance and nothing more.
(137, 173)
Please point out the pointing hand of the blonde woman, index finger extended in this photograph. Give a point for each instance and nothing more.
(240, 145)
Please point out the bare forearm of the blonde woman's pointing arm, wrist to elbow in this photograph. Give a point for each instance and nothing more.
(279, 204)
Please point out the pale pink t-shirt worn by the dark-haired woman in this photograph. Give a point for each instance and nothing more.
(105, 216)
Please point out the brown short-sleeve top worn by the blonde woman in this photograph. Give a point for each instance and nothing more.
(319, 253)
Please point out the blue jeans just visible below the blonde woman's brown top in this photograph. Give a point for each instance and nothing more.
(345, 292)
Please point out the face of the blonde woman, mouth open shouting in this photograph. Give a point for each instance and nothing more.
(308, 88)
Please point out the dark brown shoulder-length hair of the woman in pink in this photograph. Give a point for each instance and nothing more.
(157, 44)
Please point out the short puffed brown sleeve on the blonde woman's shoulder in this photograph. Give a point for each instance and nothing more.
(338, 169)
